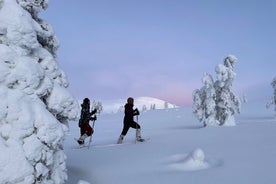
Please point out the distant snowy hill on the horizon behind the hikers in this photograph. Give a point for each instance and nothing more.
(142, 103)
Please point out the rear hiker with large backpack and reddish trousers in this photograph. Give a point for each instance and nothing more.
(85, 129)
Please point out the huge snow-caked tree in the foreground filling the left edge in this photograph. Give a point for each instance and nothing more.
(35, 103)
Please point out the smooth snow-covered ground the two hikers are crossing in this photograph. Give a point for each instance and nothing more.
(179, 150)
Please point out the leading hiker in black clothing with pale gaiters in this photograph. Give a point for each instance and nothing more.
(129, 122)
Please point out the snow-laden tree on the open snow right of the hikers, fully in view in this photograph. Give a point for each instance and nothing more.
(215, 103)
